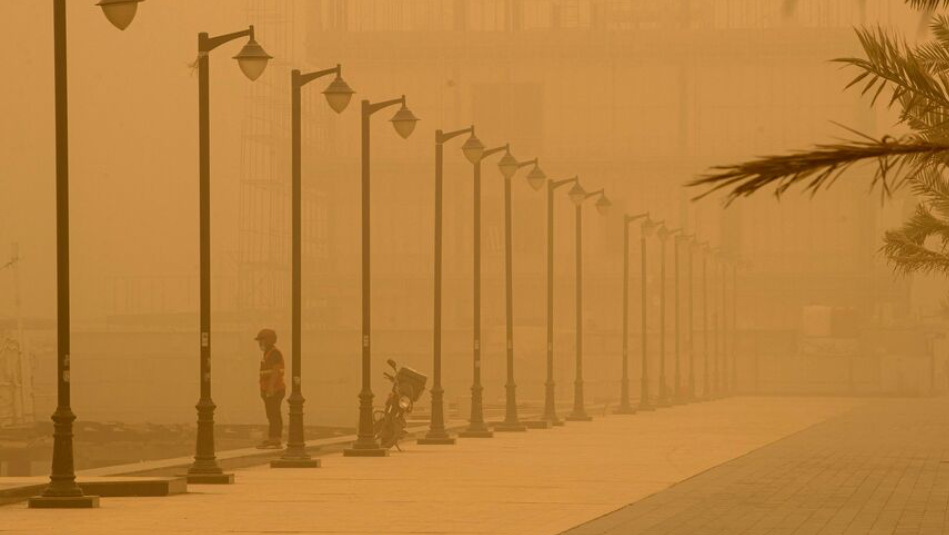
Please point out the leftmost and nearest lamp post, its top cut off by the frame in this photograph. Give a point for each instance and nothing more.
(62, 491)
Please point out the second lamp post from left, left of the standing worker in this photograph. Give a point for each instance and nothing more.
(252, 60)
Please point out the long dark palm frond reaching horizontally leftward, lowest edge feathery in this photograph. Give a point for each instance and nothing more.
(897, 160)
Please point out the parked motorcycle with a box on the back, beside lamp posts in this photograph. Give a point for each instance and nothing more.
(389, 423)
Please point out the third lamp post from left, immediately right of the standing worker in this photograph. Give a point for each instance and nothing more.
(338, 95)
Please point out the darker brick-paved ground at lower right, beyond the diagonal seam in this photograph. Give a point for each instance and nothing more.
(880, 469)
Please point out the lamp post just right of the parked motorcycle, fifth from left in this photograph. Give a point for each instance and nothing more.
(472, 150)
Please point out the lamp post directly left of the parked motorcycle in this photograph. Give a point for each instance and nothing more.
(404, 123)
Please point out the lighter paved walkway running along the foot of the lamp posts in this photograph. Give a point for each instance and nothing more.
(543, 481)
